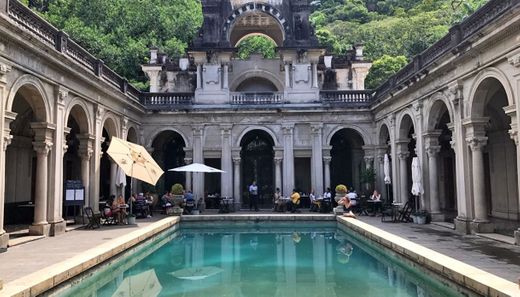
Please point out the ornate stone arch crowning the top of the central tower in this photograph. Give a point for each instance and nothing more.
(255, 8)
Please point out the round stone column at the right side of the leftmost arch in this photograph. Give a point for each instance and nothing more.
(42, 145)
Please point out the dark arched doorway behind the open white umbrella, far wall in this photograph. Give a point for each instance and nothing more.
(168, 152)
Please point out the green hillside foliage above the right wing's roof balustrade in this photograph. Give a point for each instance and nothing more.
(393, 31)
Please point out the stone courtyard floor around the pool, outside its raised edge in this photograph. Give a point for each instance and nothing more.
(498, 258)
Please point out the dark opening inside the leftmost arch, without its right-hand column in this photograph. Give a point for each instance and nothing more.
(21, 205)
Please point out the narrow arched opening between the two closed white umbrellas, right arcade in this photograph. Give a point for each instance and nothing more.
(406, 152)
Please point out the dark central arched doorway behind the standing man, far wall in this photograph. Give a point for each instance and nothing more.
(257, 156)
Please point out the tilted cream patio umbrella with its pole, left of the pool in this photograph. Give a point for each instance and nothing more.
(135, 161)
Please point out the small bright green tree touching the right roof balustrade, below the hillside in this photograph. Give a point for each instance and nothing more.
(382, 69)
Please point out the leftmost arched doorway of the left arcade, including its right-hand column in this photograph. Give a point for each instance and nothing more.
(27, 162)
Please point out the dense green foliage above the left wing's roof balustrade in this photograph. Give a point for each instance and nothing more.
(120, 32)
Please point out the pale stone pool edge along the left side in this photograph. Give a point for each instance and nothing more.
(50, 277)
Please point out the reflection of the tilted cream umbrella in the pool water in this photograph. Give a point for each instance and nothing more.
(142, 284)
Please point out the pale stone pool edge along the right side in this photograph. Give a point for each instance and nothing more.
(468, 276)
